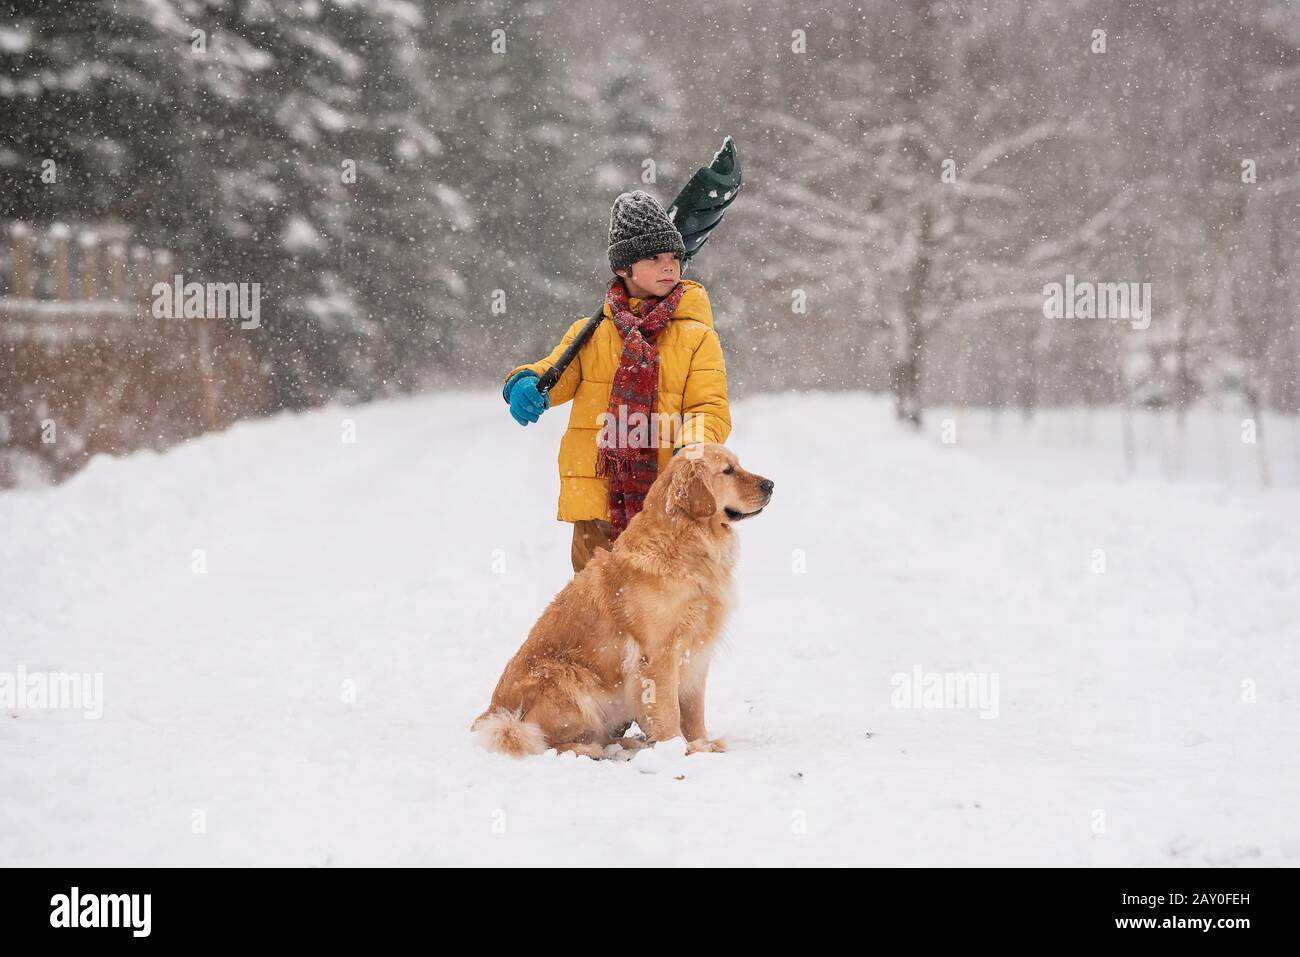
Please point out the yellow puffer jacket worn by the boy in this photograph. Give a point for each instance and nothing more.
(692, 396)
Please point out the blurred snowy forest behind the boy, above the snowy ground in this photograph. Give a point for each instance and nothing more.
(1113, 141)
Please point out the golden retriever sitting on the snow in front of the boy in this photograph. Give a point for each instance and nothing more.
(630, 638)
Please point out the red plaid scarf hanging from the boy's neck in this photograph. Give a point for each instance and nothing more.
(636, 389)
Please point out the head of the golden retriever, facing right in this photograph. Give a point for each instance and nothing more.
(705, 480)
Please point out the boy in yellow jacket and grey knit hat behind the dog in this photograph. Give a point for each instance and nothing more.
(651, 380)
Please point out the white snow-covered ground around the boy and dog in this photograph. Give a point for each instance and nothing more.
(305, 698)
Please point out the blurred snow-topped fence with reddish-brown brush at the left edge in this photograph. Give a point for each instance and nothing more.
(86, 369)
